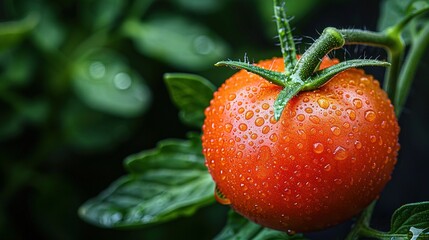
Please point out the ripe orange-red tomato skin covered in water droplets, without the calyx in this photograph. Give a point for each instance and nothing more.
(330, 154)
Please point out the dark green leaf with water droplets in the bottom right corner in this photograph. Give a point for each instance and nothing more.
(412, 217)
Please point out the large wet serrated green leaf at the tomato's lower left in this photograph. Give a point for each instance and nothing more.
(166, 183)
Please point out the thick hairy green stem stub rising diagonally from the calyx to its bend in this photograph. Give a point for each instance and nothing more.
(330, 39)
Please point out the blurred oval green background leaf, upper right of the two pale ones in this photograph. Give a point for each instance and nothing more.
(178, 41)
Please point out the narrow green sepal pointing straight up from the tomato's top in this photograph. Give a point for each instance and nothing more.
(285, 36)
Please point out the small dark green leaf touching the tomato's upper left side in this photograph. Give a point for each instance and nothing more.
(191, 94)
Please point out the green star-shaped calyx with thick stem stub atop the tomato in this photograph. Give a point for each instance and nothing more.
(302, 75)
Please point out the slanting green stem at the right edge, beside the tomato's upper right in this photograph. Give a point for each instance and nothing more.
(417, 50)
